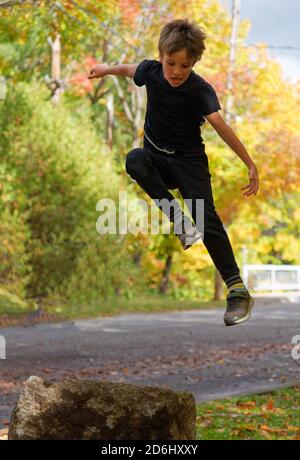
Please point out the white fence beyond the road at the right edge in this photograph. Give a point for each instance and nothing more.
(272, 277)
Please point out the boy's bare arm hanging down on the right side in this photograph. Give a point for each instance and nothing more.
(228, 135)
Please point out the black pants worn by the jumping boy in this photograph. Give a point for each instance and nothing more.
(157, 172)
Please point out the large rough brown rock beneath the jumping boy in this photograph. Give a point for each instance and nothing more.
(101, 410)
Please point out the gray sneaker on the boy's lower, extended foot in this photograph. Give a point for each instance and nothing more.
(239, 305)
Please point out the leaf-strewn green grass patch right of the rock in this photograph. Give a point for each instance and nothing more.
(268, 416)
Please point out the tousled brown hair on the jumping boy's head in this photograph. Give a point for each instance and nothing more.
(179, 34)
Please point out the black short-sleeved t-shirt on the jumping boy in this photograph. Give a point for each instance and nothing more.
(174, 114)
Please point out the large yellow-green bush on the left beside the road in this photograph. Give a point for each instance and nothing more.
(60, 171)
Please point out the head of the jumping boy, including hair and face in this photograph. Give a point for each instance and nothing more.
(181, 45)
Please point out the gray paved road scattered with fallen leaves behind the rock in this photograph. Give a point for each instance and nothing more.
(190, 350)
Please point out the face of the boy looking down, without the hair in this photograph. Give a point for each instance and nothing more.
(176, 67)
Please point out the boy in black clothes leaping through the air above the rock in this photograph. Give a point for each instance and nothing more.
(173, 155)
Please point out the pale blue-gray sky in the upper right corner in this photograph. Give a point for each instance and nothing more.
(276, 23)
